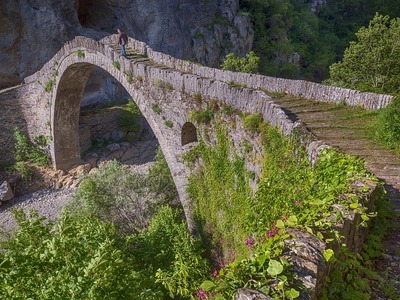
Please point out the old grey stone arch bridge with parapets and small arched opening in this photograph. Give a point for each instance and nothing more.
(53, 95)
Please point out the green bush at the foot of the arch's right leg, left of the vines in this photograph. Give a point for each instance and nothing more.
(166, 248)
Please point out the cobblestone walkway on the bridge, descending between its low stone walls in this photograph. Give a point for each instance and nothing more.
(348, 128)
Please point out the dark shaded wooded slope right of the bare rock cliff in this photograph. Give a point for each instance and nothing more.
(294, 42)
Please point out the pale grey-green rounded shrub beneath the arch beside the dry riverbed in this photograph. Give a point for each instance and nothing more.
(117, 195)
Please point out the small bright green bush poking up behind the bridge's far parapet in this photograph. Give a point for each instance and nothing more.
(247, 64)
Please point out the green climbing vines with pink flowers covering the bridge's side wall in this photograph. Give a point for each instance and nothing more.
(248, 229)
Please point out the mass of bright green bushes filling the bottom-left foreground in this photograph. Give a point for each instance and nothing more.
(83, 257)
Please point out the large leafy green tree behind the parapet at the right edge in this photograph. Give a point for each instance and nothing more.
(371, 63)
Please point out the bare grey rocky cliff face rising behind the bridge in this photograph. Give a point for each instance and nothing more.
(32, 31)
